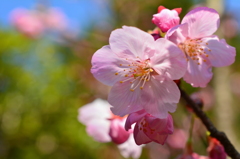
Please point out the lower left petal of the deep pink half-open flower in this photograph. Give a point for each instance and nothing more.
(140, 137)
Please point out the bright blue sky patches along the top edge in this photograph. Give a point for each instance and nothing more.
(80, 12)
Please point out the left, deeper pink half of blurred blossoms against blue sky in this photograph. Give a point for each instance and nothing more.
(27, 23)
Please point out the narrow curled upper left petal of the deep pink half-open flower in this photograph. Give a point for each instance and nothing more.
(134, 117)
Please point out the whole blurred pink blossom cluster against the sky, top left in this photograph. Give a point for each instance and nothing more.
(33, 23)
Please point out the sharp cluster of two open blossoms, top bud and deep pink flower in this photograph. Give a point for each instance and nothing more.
(141, 68)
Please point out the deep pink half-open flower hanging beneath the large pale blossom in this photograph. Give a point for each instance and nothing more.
(149, 128)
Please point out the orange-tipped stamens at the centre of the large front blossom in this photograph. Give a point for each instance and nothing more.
(137, 73)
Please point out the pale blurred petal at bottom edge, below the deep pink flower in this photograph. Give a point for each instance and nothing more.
(130, 149)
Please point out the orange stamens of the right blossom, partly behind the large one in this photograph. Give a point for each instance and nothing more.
(195, 49)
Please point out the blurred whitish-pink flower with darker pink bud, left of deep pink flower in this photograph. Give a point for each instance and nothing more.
(102, 125)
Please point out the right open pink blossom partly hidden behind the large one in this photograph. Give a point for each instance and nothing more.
(202, 49)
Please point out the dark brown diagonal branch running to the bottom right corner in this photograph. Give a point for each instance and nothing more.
(220, 136)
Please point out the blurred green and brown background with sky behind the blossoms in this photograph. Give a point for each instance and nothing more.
(45, 75)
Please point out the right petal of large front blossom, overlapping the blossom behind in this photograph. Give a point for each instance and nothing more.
(169, 60)
